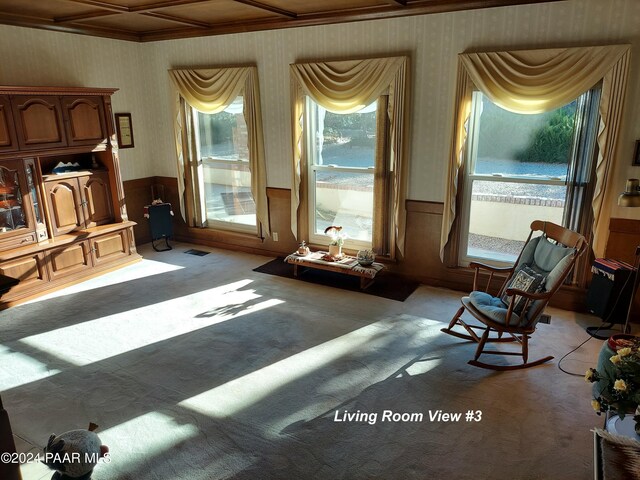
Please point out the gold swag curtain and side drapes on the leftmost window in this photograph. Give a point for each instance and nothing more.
(211, 91)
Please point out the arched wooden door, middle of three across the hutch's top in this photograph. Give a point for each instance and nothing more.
(38, 122)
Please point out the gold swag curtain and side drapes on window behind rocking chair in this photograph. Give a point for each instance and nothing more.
(535, 81)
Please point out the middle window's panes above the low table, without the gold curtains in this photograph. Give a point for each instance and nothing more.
(342, 157)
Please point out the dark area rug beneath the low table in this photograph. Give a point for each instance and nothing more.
(387, 284)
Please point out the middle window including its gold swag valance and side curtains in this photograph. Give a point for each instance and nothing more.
(349, 151)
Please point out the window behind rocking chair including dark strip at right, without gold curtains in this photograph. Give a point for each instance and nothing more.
(522, 168)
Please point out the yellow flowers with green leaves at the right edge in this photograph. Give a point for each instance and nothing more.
(617, 383)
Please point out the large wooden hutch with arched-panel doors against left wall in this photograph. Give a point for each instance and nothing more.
(62, 212)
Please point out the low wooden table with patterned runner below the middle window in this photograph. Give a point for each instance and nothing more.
(346, 265)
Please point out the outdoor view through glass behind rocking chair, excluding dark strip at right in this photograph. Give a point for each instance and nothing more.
(518, 167)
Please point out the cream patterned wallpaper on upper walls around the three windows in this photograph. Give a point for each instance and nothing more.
(432, 41)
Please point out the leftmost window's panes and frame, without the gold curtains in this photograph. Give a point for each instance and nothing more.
(226, 177)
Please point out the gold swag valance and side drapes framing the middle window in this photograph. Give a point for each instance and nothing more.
(346, 87)
